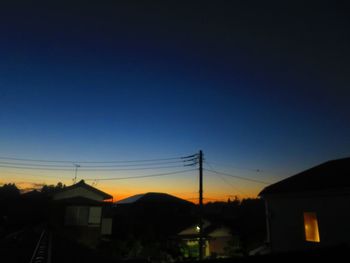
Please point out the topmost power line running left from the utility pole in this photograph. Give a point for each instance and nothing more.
(116, 161)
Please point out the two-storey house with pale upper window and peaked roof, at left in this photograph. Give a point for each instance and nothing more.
(81, 211)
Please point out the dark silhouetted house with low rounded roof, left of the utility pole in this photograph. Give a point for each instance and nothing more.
(152, 215)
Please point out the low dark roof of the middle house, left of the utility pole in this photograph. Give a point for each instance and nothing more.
(152, 198)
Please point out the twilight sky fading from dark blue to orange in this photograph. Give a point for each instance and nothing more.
(261, 88)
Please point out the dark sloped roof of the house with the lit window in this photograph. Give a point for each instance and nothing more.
(330, 175)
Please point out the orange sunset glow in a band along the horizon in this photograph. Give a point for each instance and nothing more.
(185, 187)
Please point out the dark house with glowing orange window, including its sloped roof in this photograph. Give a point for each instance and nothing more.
(310, 209)
